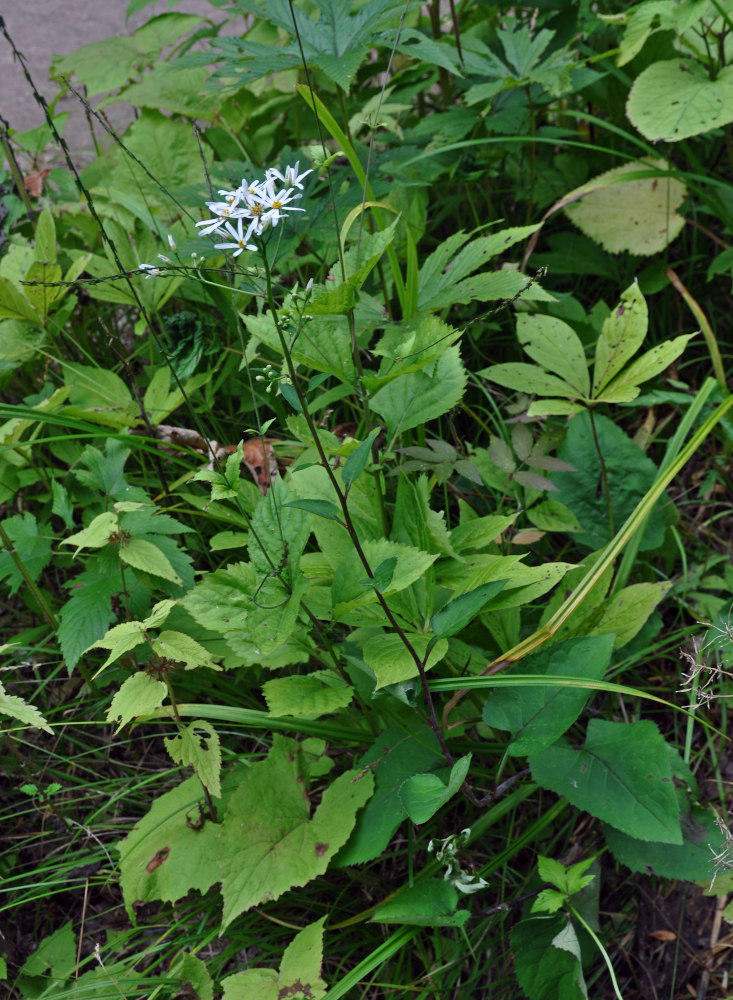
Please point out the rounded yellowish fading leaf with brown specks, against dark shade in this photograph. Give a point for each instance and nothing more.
(638, 215)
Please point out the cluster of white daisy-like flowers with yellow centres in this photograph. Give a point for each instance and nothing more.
(252, 208)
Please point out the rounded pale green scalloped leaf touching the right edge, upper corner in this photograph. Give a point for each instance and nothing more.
(676, 98)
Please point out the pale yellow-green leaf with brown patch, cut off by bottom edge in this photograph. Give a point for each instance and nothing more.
(299, 974)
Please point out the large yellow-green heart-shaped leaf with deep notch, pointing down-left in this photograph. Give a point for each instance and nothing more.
(270, 842)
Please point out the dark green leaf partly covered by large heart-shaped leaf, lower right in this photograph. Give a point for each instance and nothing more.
(691, 861)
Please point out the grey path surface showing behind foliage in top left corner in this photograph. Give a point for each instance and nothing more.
(44, 28)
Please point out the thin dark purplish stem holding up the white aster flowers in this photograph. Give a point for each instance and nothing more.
(341, 495)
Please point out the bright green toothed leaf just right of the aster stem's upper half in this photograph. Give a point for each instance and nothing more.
(416, 397)
